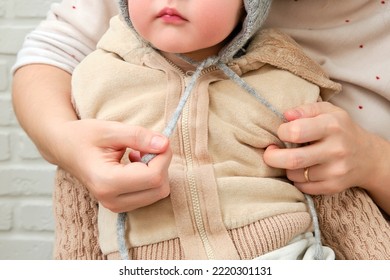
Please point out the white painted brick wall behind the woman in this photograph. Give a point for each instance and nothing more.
(26, 180)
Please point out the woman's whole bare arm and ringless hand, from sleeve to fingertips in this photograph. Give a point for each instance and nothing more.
(91, 150)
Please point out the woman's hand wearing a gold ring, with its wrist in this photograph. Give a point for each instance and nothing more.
(339, 154)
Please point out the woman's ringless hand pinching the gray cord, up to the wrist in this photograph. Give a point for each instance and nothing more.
(92, 151)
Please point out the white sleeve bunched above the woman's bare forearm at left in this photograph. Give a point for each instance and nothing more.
(69, 32)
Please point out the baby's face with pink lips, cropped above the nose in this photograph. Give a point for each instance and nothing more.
(196, 28)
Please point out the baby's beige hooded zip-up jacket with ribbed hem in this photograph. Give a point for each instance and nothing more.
(225, 203)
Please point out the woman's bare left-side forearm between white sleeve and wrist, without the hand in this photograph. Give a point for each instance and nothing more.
(41, 100)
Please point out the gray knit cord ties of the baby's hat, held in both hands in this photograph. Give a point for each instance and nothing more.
(121, 221)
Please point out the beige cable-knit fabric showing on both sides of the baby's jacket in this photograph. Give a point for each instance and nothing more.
(350, 223)
